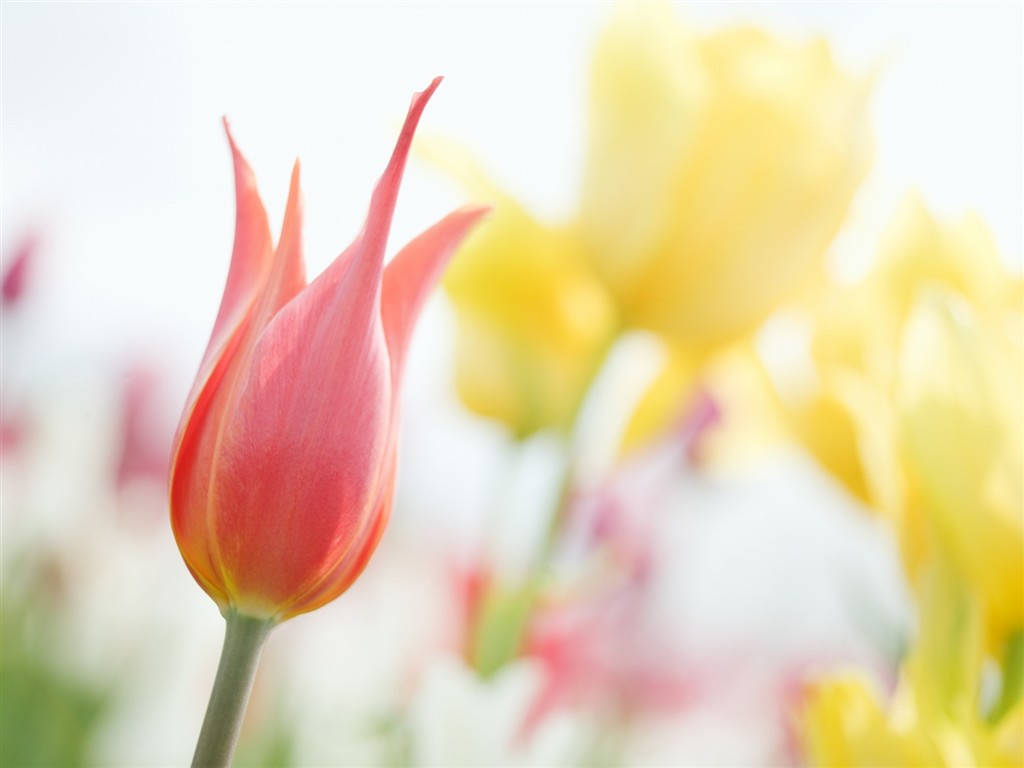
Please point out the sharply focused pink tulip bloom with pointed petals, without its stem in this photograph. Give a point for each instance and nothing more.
(284, 463)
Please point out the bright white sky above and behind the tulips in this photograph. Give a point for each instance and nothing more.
(112, 144)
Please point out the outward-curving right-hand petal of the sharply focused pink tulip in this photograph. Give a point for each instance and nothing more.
(414, 273)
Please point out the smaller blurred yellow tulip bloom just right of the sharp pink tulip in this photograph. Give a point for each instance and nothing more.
(534, 323)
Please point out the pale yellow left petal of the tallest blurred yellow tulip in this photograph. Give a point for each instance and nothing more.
(648, 86)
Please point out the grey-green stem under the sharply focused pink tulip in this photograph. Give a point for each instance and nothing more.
(244, 643)
